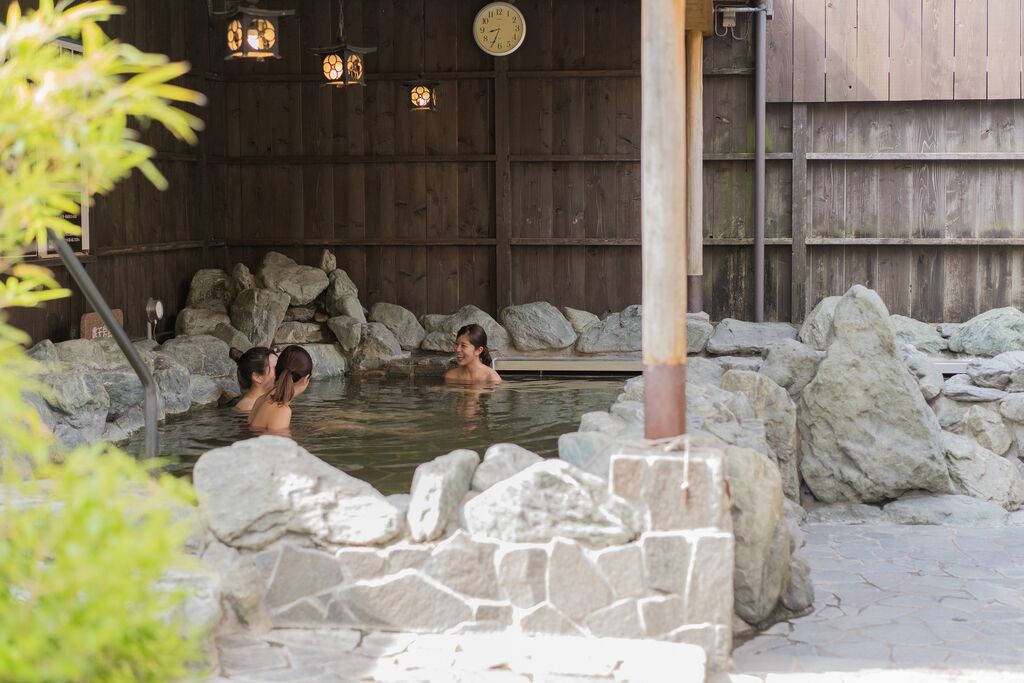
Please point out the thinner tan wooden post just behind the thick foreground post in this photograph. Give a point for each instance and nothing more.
(695, 169)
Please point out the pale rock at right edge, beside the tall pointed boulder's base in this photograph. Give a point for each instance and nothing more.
(978, 473)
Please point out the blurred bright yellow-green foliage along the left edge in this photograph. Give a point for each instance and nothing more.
(84, 541)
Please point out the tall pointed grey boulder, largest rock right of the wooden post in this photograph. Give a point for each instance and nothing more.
(868, 435)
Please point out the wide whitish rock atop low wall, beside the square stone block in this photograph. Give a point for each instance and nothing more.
(553, 499)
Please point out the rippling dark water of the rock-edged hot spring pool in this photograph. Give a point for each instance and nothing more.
(380, 432)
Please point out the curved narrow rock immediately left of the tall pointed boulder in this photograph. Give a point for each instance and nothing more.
(774, 407)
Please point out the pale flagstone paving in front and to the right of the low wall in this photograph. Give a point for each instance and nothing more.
(893, 605)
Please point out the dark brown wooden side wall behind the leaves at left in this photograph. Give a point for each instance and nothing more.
(147, 243)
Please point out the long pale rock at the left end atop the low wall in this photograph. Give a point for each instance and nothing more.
(283, 489)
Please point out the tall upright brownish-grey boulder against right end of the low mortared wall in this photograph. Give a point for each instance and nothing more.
(762, 540)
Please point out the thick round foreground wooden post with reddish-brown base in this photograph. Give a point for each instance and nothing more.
(663, 202)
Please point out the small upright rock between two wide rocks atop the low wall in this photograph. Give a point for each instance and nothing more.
(439, 487)
